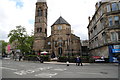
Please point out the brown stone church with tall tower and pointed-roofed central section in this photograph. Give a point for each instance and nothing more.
(61, 42)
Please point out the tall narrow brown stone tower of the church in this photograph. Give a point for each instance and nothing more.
(40, 26)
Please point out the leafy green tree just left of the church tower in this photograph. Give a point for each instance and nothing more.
(24, 41)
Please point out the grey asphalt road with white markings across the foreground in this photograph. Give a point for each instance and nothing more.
(25, 69)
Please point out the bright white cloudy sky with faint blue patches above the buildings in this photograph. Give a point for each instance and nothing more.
(22, 12)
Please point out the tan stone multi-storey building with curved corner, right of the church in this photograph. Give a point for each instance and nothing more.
(104, 29)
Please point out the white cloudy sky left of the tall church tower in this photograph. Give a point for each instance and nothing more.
(16, 12)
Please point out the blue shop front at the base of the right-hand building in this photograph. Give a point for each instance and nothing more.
(114, 51)
